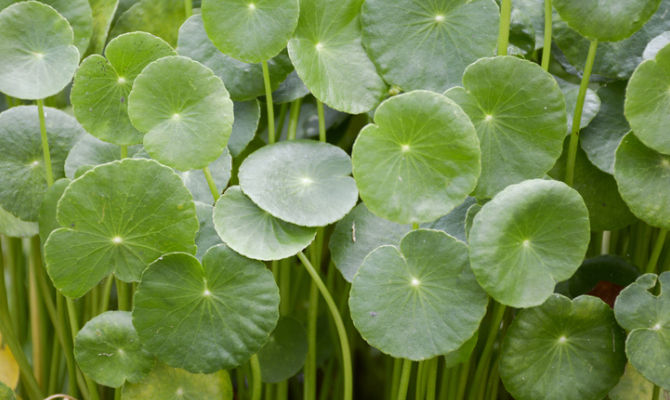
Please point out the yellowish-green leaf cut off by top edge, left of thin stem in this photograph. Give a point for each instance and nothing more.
(160, 18)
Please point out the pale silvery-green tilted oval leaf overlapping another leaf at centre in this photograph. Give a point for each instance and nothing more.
(301, 181)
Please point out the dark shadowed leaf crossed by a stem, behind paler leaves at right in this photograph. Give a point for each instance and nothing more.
(607, 211)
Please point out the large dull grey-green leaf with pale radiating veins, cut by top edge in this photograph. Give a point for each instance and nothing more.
(419, 45)
